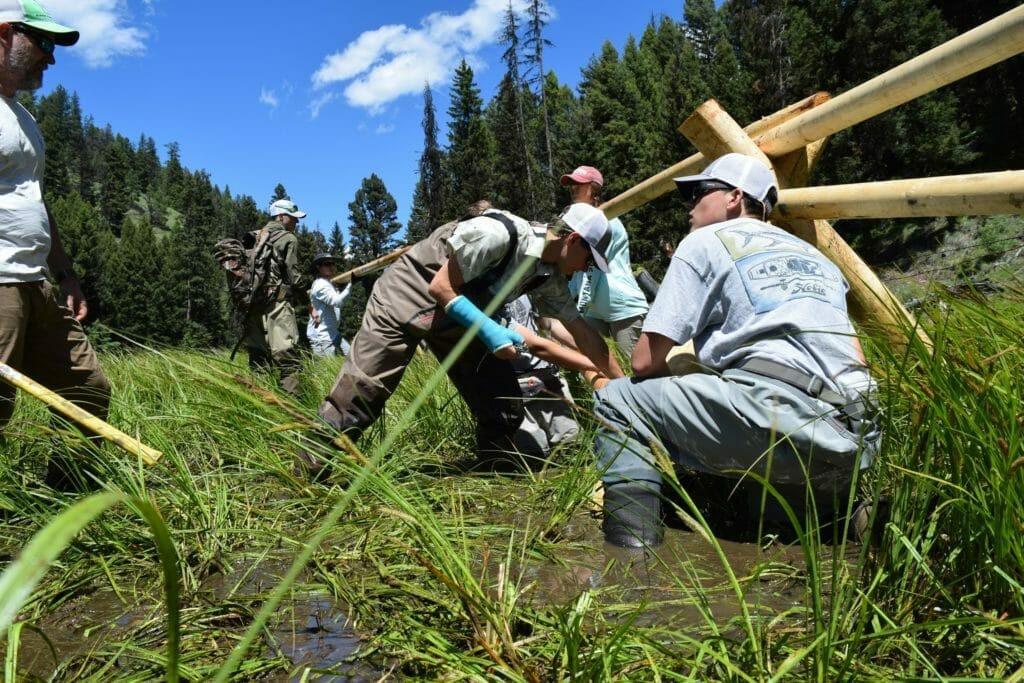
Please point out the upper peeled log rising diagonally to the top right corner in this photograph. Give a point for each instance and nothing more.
(990, 44)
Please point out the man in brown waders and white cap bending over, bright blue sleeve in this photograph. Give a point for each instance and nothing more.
(440, 288)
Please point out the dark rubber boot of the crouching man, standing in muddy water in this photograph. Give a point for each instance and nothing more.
(633, 516)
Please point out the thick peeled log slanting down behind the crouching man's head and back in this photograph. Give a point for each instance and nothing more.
(714, 133)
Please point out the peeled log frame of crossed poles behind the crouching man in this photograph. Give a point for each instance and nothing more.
(791, 141)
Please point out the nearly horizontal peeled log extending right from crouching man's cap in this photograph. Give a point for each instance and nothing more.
(974, 195)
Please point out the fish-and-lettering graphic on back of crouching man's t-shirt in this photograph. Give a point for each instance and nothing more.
(777, 268)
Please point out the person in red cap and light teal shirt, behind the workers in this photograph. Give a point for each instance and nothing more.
(612, 303)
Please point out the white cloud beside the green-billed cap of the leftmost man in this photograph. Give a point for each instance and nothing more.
(106, 28)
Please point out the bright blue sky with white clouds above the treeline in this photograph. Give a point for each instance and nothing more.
(316, 95)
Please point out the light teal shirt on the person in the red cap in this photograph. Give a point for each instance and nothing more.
(616, 295)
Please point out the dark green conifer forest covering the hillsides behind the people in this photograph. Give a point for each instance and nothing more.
(141, 230)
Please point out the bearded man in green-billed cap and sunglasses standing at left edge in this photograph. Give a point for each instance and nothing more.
(41, 332)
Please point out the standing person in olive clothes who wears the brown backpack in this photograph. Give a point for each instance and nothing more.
(272, 332)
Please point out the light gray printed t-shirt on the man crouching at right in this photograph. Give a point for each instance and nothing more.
(743, 289)
